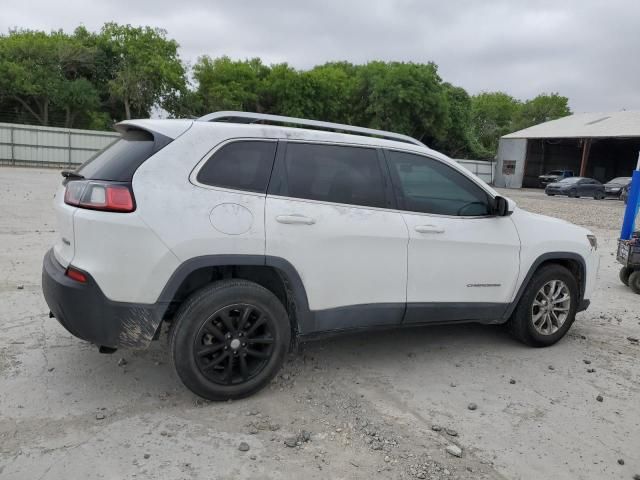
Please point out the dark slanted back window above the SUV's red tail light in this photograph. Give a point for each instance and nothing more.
(119, 161)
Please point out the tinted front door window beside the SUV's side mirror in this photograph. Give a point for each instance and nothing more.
(430, 186)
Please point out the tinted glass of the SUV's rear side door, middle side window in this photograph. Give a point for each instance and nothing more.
(332, 173)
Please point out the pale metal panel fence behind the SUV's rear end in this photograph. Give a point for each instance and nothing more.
(26, 145)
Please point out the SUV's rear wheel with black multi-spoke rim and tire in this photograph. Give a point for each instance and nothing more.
(229, 339)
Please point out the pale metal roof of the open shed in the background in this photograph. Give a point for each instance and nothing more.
(586, 125)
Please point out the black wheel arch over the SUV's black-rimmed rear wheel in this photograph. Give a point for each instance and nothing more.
(273, 273)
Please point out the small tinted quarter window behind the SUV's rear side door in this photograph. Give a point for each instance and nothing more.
(244, 165)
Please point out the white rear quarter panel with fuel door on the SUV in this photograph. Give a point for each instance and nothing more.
(180, 213)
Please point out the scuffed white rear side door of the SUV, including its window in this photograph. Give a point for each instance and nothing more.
(327, 213)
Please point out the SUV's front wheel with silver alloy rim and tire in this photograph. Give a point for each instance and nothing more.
(547, 308)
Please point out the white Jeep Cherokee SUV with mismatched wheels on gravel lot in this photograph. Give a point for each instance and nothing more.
(248, 233)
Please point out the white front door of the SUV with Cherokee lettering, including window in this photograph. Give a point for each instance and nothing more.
(463, 263)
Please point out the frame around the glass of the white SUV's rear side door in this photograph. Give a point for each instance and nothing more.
(279, 175)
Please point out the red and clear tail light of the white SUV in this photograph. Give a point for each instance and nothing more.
(95, 195)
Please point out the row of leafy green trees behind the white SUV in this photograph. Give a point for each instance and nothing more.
(94, 79)
